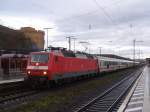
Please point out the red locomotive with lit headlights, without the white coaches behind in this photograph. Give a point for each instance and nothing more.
(58, 63)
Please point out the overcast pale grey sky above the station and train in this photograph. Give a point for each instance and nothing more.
(110, 24)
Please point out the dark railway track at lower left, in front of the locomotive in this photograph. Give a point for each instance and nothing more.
(13, 93)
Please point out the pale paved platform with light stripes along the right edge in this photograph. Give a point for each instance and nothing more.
(138, 99)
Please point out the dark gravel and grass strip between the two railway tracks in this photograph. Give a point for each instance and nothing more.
(67, 97)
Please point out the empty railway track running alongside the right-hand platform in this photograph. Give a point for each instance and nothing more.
(111, 99)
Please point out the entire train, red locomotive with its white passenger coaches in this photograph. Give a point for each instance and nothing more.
(58, 63)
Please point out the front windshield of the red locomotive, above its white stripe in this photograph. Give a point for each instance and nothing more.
(43, 58)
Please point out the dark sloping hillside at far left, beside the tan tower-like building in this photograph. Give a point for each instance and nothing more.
(11, 39)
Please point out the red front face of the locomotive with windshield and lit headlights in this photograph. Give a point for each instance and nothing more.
(38, 65)
